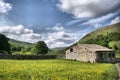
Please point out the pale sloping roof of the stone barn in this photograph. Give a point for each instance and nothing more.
(93, 47)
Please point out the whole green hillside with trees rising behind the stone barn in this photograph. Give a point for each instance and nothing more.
(107, 36)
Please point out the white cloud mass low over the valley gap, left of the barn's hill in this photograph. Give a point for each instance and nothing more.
(59, 38)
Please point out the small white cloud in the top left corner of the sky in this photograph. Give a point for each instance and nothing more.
(4, 7)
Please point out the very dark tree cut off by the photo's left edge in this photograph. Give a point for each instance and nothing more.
(4, 45)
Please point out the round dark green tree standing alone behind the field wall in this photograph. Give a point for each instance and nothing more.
(40, 48)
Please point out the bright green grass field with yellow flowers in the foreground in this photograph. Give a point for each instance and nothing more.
(55, 70)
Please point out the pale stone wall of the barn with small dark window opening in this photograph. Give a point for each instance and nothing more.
(81, 54)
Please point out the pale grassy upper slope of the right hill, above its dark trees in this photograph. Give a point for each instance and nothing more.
(105, 31)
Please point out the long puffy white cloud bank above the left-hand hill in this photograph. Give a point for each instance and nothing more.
(19, 32)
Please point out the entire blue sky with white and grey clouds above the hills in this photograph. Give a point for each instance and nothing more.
(59, 23)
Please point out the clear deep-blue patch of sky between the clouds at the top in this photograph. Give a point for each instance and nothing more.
(37, 12)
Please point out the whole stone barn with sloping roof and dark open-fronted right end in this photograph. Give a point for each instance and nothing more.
(90, 53)
